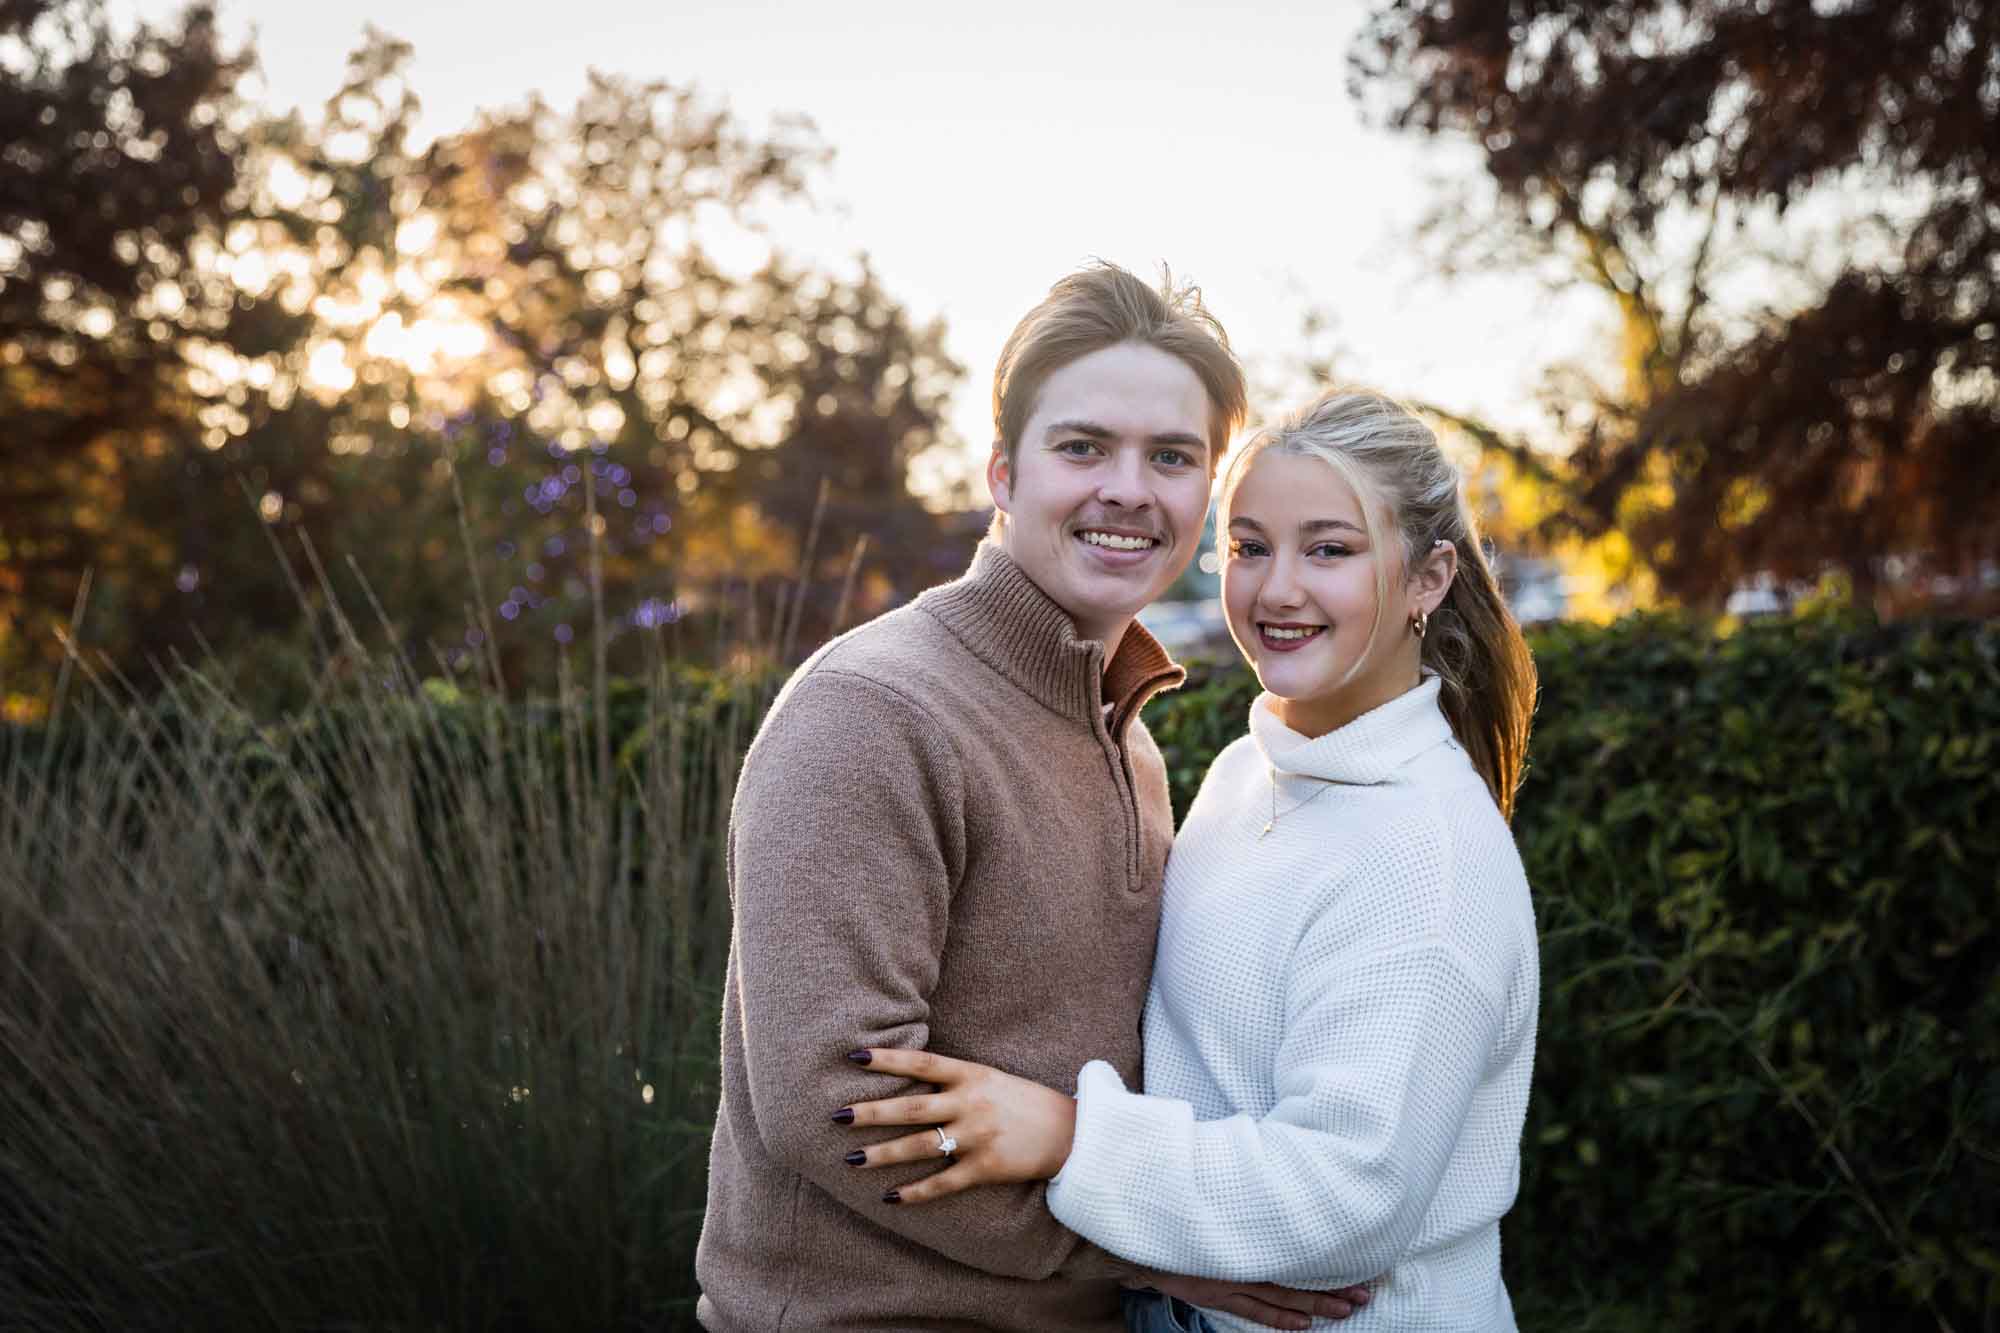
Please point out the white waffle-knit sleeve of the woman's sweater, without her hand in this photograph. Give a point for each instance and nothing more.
(1381, 1058)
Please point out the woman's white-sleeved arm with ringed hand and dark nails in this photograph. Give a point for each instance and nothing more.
(1377, 1070)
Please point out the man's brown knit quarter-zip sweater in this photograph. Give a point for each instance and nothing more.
(939, 842)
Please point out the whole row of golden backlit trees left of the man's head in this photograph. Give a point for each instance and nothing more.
(527, 315)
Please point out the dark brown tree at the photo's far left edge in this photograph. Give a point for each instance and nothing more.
(121, 165)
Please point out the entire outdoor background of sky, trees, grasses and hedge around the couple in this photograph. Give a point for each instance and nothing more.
(431, 431)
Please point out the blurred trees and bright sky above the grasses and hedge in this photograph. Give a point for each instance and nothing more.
(1703, 293)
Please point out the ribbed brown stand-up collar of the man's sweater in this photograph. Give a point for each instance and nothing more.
(1017, 629)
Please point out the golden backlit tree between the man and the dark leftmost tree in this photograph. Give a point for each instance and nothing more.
(717, 397)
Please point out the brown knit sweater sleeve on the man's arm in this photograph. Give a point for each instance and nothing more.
(847, 842)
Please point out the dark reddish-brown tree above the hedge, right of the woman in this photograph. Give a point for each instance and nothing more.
(1795, 397)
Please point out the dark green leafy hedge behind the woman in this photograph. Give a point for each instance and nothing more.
(1767, 870)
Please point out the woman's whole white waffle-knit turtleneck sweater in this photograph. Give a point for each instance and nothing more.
(1339, 1034)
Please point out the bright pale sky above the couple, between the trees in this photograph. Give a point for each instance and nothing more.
(985, 151)
